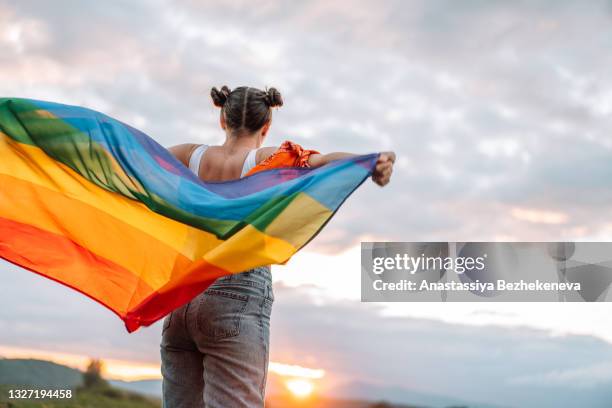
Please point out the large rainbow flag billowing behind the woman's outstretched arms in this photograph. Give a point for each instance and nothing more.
(99, 206)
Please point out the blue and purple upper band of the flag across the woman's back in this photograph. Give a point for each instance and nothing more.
(231, 200)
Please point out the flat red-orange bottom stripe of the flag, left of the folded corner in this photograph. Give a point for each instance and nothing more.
(58, 258)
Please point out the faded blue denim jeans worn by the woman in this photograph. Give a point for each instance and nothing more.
(215, 349)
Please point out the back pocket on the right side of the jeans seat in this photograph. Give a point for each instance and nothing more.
(220, 313)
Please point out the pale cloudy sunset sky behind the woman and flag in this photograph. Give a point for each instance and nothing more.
(499, 113)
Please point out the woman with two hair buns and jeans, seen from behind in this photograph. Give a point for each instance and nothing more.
(215, 348)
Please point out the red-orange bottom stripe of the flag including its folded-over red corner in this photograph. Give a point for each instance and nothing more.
(62, 260)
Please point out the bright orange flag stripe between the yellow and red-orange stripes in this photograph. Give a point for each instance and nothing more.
(127, 246)
